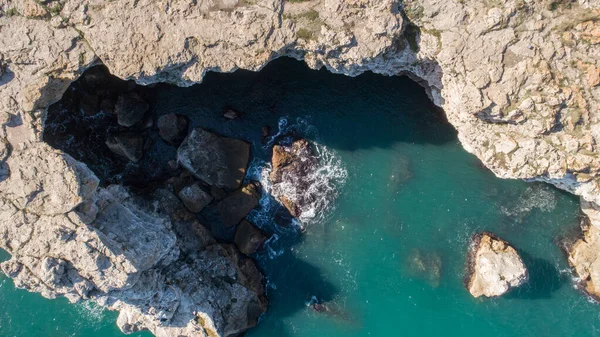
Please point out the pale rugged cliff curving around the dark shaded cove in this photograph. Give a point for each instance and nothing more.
(519, 80)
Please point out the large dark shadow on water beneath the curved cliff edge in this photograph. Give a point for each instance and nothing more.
(348, 113)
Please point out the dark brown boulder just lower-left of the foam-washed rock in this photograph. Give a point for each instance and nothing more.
(239, 203)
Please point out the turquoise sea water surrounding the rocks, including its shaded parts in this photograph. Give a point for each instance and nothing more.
(405, 188)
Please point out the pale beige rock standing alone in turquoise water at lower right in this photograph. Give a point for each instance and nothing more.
(494, 266)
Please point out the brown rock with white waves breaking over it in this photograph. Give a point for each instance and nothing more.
(293, 174)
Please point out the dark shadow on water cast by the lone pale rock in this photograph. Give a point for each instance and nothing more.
(544, 279)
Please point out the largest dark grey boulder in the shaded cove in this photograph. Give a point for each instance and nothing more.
(216, 160)
